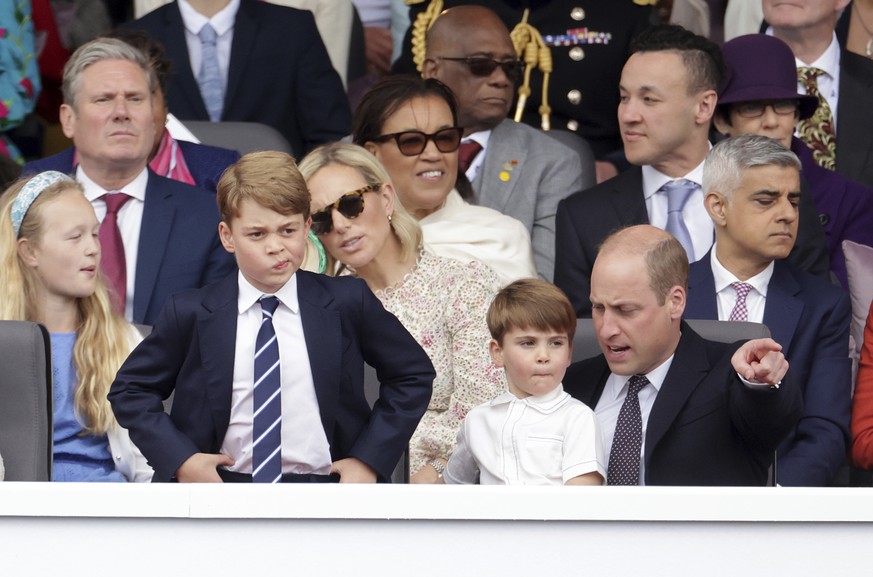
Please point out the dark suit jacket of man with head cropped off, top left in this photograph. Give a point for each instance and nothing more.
(280, 73)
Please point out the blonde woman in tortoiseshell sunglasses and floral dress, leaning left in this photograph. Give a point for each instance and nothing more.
(442, 302)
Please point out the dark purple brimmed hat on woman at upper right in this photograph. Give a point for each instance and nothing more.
(761, 67)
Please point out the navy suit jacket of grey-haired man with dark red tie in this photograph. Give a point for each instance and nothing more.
(178, 242)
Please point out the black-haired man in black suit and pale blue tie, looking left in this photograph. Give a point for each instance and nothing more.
(668, 96)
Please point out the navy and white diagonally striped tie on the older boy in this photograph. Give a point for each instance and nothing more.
(267, 425)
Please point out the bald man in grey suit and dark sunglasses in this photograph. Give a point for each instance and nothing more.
(519, 170)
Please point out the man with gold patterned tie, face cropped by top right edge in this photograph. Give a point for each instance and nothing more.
(846, 79)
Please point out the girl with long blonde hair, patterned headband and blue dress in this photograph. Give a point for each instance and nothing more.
(50, 274)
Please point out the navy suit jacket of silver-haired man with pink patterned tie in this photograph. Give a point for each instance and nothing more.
(810, 319)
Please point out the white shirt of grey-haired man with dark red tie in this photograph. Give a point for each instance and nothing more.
(129, 220)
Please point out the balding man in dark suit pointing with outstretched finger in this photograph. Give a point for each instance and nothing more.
(673, 408)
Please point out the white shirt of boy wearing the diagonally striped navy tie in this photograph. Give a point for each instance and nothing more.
(304, 444)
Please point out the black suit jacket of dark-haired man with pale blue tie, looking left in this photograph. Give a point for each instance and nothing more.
(586, 218)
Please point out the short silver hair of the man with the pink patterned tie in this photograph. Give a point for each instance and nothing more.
(725, 163)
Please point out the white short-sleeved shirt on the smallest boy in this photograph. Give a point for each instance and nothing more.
(540, 440)
